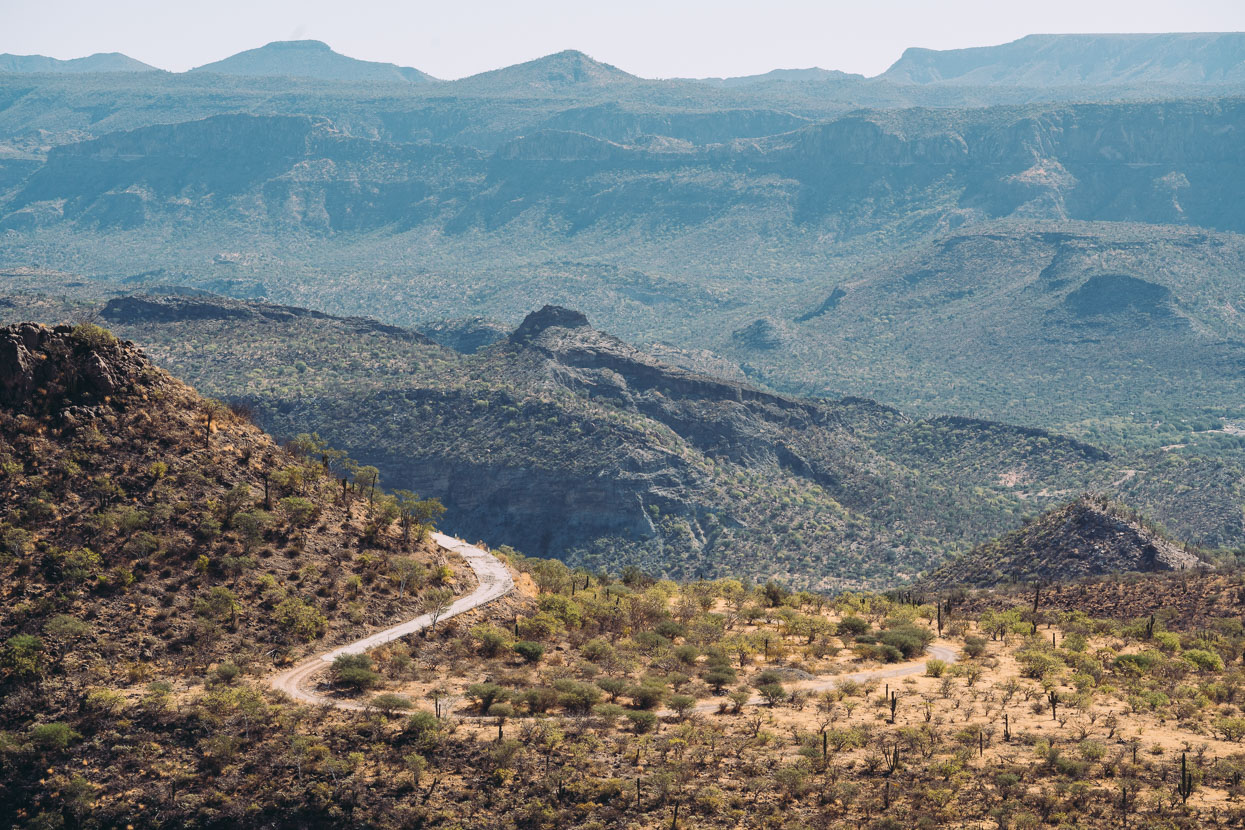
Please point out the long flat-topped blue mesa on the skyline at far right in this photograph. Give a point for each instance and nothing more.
(1070, 60)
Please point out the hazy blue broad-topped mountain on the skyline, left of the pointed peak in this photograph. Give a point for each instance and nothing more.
(311, 59)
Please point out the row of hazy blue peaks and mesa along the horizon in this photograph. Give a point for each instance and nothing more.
(1031, 62)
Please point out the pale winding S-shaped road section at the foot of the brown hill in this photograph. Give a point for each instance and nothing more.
(495, 583)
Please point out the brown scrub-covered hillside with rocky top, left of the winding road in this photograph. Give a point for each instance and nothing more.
(151, 536)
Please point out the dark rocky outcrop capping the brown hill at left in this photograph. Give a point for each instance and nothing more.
(48, 370)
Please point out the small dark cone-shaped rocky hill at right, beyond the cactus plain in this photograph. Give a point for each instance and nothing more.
(1084, 539)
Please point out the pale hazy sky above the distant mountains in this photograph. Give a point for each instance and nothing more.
(648, 38)
